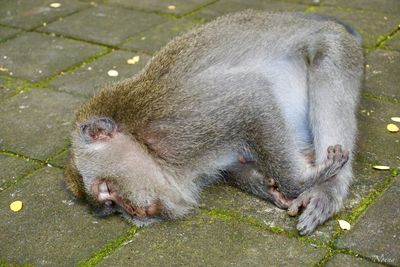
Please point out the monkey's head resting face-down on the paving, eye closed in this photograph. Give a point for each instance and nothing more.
(115, 173)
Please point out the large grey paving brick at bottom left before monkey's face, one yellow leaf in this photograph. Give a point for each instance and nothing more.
(52, 229)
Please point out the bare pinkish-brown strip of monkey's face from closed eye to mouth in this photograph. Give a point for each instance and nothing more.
(109, 197)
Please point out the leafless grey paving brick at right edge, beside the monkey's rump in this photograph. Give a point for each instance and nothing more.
(383, 73)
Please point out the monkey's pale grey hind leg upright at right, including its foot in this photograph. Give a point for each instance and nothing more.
(335, 74)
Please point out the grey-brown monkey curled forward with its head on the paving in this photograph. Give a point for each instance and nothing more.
(267, 98)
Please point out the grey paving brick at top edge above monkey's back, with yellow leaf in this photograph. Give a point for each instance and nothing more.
(178, 7)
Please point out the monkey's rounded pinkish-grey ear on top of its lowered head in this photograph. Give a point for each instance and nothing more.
(96, 129)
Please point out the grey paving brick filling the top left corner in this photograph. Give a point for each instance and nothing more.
(33, 13)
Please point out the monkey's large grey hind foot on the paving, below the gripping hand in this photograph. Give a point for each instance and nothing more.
(320, 202)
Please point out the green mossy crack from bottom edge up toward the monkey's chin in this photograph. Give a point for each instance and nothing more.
(110, 247)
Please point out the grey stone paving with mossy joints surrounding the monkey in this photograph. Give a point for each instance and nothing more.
(52, 59)
